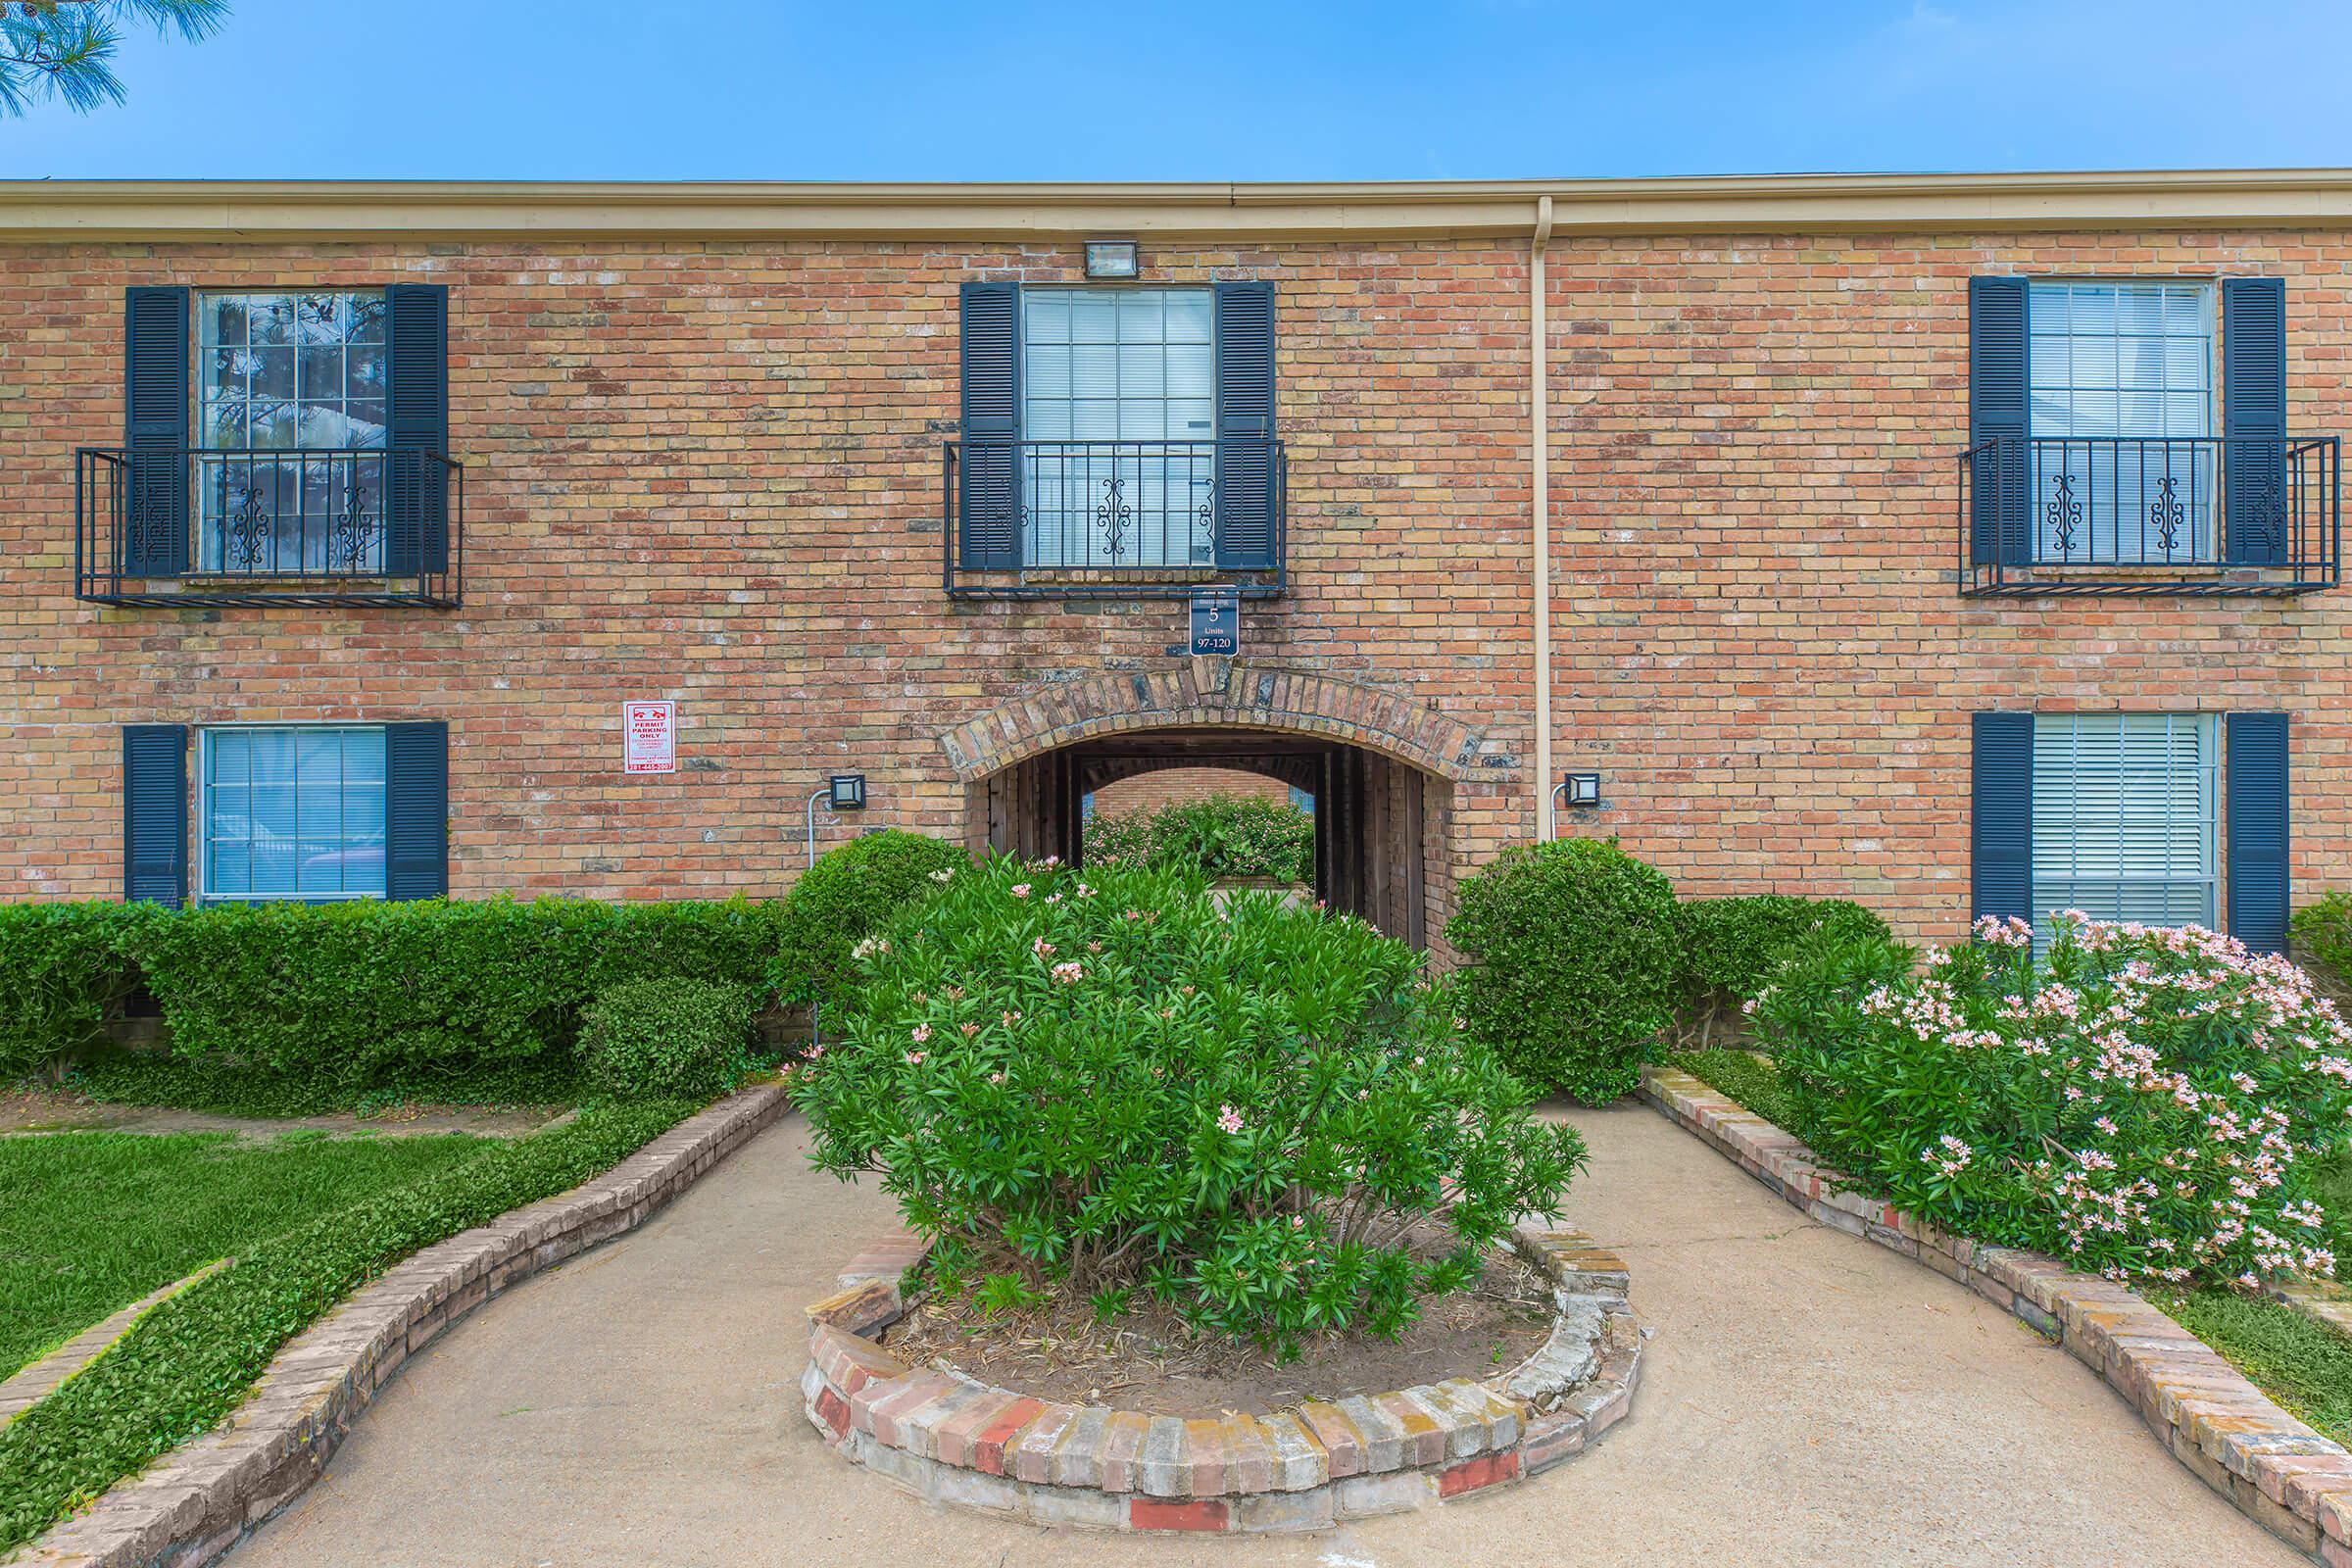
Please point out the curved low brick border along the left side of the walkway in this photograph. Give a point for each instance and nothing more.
(201, 1499)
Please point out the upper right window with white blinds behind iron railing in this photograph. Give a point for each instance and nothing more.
(2120, 403)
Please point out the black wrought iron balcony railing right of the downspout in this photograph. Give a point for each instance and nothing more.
(2151, 516)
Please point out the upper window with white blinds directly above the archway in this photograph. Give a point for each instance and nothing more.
(1118, 415)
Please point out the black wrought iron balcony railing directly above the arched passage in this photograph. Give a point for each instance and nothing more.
(1029, 521)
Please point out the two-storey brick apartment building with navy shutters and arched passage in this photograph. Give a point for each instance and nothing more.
(1958, 542)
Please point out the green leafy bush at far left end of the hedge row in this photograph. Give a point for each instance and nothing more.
(65, 970)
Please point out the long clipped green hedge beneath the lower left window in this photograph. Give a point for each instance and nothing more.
(368, 993)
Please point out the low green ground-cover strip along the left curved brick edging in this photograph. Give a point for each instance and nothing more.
(187, 1365)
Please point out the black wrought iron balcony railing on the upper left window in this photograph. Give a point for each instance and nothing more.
(316, 525)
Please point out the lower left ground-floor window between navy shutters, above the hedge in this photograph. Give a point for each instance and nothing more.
(293, 812)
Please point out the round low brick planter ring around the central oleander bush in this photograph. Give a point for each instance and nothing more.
(1307, 1468)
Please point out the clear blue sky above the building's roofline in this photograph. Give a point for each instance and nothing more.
(1142, 91)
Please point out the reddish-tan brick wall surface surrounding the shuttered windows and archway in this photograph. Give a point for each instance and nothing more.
(709, 471)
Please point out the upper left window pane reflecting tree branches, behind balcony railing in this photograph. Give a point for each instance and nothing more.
(290, 415)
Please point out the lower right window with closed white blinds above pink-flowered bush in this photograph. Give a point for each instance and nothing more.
(2125, 812)
